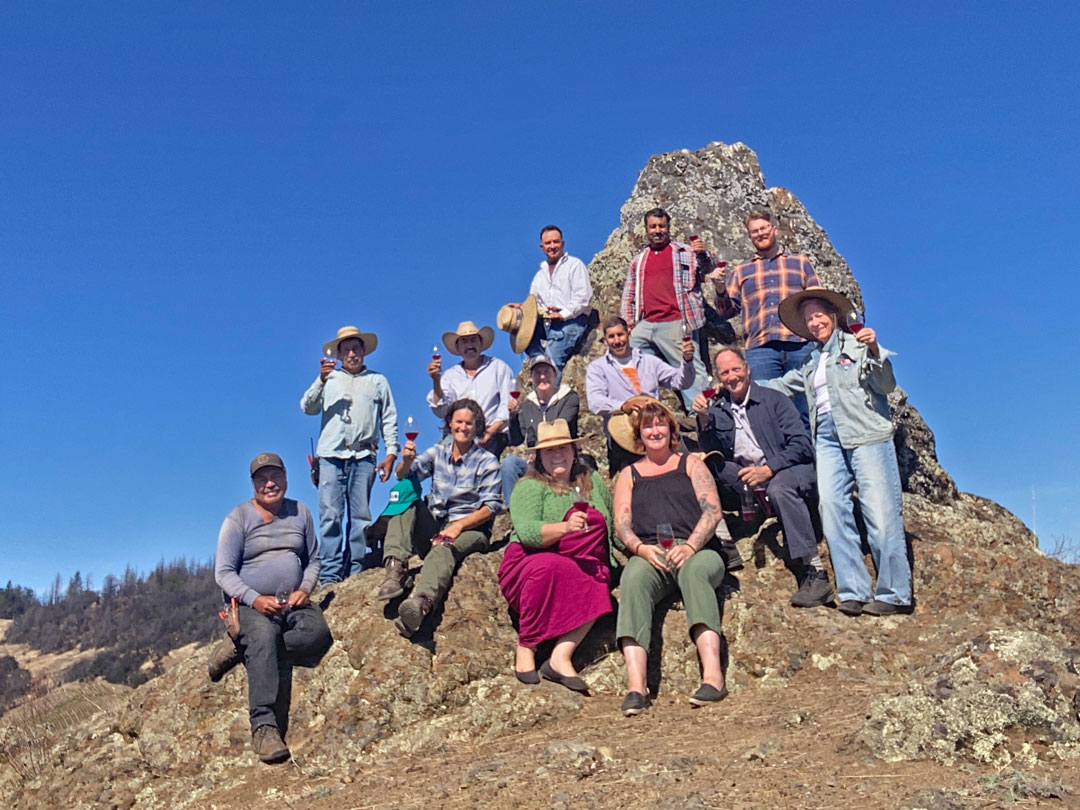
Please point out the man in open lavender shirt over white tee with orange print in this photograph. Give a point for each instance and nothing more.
(615, 382)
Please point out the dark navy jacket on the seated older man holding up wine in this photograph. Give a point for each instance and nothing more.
(777, 426)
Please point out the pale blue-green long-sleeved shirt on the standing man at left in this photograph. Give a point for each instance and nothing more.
(357, 410)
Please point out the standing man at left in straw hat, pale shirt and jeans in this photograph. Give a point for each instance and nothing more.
(357, 409)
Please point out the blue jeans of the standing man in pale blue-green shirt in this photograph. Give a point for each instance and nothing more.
(343, 544)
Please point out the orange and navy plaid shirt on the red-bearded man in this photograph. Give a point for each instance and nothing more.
(757, 289)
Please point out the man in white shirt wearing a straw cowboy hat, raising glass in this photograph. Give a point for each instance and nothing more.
(478, 377)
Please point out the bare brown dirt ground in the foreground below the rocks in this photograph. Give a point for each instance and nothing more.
(794, 747)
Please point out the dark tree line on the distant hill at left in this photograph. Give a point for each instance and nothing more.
(134, 620)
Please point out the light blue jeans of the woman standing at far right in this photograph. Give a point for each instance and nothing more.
(873, 468)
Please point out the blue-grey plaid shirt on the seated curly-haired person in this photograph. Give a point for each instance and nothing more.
(458, 489)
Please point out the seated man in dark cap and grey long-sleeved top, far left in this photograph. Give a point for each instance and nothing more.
(267, 566)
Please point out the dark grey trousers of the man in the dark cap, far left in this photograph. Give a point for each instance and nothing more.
(271, 650)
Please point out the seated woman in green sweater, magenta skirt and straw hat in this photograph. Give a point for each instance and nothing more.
(556, 573)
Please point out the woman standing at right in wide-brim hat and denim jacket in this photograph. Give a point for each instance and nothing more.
(847, 380)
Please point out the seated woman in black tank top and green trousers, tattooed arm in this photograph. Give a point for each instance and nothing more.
(668, 489)
